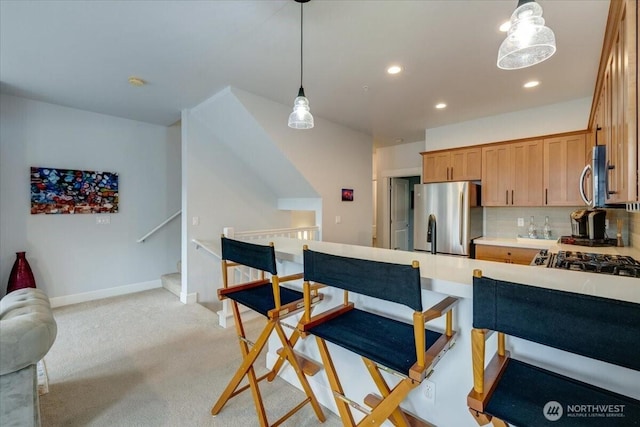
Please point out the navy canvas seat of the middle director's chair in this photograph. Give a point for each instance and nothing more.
(385, 341)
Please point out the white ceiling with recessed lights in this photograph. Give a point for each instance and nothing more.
(81, 53)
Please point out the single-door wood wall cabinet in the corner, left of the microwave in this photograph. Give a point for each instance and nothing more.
(564, 159)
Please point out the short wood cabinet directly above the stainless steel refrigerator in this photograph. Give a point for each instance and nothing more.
(463, 164)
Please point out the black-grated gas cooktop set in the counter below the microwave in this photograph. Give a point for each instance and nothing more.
(619, 265)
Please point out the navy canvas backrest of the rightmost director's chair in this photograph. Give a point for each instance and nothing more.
(608, 328)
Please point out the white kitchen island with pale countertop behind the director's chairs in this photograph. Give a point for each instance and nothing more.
(452, 379)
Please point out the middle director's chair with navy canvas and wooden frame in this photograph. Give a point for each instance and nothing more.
(408, 351)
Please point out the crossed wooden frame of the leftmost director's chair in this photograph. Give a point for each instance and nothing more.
(250, 351)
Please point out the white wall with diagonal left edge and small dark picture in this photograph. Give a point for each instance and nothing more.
(330, 157)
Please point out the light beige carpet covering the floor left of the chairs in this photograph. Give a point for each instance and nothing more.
(148, 360)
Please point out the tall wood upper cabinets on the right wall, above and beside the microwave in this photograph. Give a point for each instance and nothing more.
(614, 118)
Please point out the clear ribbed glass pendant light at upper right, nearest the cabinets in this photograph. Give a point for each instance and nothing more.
(528, 41)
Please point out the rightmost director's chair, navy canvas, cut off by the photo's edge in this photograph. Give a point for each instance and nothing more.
(508, 390)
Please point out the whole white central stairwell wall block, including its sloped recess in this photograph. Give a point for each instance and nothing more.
(228, 182)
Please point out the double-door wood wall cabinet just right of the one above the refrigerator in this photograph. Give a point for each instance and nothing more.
(512, 174)
